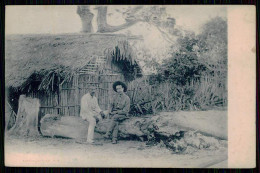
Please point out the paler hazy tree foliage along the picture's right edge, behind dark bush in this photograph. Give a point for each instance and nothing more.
(213, 47)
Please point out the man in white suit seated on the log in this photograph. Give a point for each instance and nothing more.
(91, 112)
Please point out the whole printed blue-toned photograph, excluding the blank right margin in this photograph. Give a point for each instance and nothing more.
(116, 86)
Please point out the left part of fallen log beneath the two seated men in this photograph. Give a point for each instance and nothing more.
(77, 128)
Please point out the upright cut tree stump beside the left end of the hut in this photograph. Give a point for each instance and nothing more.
(27, 118)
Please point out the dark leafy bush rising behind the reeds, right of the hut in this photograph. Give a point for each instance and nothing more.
(183, 65)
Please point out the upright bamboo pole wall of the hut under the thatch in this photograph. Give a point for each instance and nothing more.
(67, 101)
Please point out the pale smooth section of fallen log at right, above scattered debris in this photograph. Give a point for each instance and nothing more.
(211, 123)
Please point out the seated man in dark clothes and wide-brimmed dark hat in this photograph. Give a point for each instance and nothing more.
(119, 110)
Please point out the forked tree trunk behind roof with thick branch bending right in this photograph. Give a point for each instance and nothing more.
(102, 22)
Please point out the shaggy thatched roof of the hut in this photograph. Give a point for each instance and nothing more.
(38, 56)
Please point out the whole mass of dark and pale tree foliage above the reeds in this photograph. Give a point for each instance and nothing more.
(197, 56)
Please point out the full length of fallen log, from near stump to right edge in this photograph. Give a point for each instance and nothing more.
(162, 126)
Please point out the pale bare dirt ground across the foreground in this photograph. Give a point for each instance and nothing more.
(60, 152)
